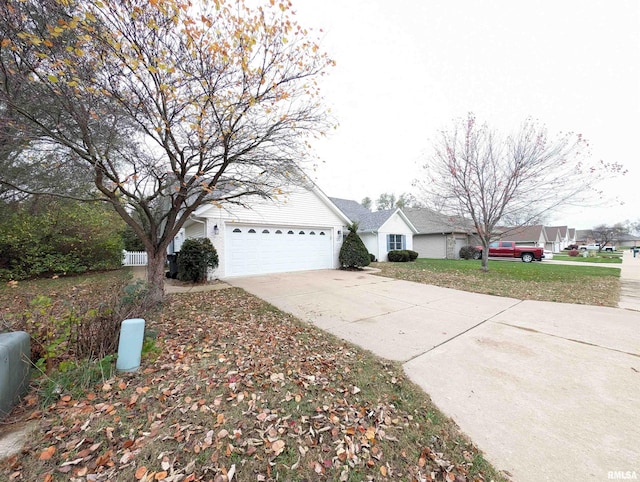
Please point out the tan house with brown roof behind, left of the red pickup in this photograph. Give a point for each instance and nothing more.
(439, 236)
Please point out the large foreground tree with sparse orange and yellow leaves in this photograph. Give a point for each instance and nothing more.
(165, 104)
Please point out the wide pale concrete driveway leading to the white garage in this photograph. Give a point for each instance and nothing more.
(548, 391)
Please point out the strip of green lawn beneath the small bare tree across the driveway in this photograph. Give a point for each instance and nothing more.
(590, 285)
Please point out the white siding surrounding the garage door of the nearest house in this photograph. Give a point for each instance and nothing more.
(301, 209)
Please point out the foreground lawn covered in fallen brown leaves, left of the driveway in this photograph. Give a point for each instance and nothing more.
(231, 388)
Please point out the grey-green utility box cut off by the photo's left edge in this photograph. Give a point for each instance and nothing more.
(15, 351)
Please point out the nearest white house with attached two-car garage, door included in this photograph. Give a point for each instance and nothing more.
(300, 230)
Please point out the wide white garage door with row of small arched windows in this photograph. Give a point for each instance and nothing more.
(267, 249)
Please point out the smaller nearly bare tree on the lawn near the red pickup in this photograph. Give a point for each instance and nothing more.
(488, 178)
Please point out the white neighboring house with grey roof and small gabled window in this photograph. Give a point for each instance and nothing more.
(380, 231)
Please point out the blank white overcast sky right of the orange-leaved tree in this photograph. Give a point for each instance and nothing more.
(407, 68)
